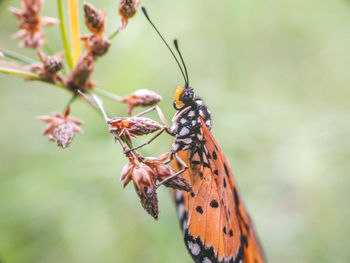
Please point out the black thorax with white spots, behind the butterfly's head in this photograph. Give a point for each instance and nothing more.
(186, 126)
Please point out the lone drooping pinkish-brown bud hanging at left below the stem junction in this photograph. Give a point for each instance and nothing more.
(61, 128)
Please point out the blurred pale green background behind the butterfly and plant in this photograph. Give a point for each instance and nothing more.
(276, 76)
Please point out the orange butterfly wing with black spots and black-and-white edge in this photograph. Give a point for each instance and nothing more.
(213, 217)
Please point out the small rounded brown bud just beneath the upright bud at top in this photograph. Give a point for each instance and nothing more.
(95, 45)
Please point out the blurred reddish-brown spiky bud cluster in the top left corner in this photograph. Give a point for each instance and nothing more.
(30, 23)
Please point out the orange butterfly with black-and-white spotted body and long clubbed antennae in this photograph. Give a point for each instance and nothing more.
(217, 227)
